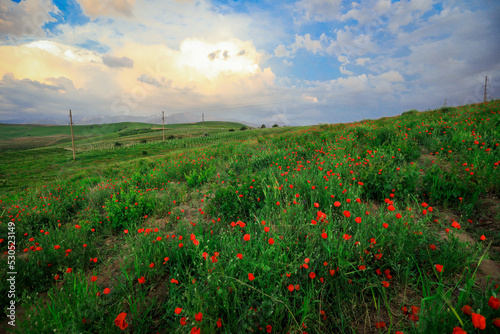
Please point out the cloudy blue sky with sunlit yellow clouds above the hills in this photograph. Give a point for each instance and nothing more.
(291, 62)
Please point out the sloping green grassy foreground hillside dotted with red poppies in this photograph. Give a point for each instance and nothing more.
(378, 226)
